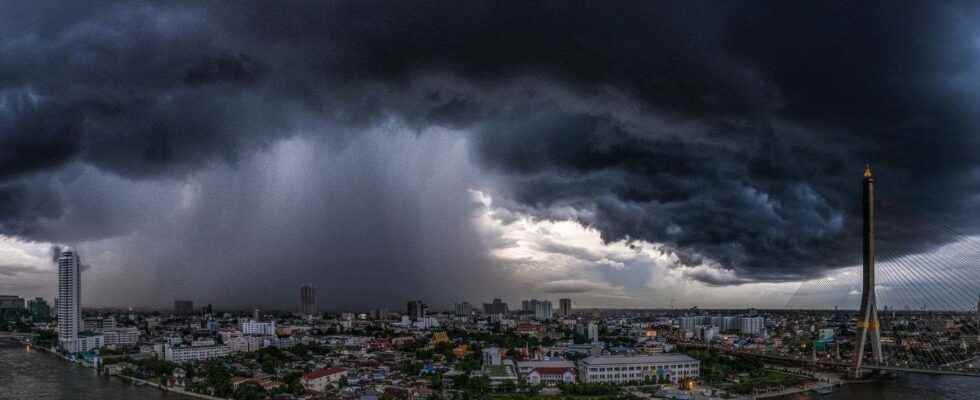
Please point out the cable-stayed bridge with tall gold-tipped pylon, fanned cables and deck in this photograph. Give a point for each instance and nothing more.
(917, 312)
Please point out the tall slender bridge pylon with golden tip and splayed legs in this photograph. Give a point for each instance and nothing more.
(867, 324)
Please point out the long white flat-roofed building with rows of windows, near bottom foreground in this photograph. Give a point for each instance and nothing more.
(635, 369)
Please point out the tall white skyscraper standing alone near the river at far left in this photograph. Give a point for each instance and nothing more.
(69, 300)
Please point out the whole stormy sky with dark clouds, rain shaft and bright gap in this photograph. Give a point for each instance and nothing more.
(636, 154)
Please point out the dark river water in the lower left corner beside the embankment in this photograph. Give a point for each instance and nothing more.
(32, 375)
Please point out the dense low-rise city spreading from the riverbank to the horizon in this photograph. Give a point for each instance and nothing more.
(489, 351)
